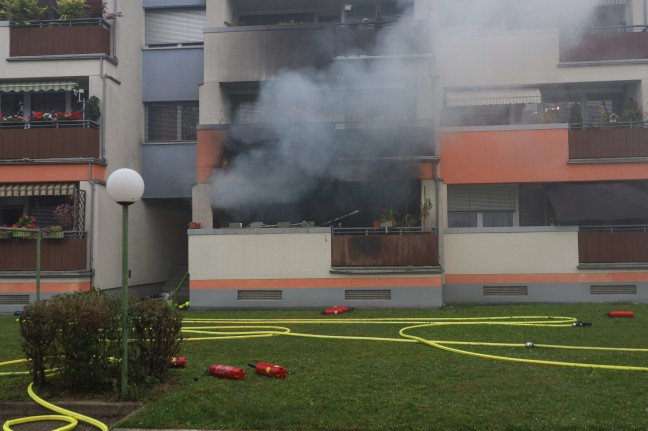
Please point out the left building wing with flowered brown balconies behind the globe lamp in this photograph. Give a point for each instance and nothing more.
(55, 156)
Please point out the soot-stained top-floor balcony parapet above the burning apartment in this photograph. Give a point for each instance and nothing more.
(255, 53)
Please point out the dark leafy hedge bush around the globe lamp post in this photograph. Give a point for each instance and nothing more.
(80, 336)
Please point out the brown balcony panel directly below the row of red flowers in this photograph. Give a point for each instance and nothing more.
(45, 140)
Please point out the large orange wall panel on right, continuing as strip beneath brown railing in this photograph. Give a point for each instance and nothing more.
(521, 156)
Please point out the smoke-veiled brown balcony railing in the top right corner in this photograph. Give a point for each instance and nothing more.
(605, 44)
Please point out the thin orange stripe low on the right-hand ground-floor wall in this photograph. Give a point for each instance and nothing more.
(608, 277)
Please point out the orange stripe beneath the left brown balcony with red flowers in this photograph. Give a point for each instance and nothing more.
(50, 173)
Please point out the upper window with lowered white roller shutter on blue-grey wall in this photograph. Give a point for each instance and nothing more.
(174, 27)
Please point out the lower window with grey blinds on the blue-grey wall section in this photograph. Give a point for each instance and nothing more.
(167, 122)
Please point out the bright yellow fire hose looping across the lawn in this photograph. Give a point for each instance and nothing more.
(226, 329)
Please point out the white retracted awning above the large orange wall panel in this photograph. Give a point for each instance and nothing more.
(492, 96)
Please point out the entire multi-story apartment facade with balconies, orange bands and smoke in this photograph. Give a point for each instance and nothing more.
(361, 152)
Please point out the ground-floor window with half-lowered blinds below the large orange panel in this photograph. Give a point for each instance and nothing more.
(481, 206)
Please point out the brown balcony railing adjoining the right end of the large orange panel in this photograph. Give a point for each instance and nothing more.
(609, 140)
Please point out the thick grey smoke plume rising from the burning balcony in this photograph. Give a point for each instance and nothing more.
(303, 153)
